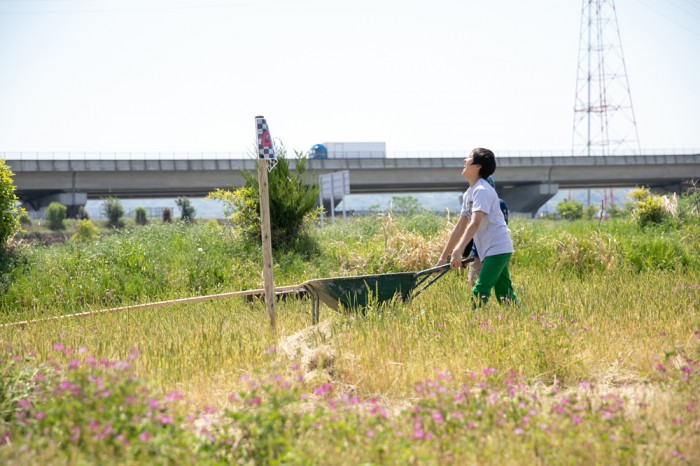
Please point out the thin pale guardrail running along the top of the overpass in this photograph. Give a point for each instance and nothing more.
(10, 155)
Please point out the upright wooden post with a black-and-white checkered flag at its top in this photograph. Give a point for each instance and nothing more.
(266, 162)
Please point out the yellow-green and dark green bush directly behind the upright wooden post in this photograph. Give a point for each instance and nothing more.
(292, 201)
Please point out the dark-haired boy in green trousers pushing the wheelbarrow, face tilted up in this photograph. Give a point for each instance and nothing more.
(481, 219)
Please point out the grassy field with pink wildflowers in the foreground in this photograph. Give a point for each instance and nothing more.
(599, 365)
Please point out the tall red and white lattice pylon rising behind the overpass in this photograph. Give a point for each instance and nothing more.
(604, 122)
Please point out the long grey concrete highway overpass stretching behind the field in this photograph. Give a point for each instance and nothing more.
(525, 182)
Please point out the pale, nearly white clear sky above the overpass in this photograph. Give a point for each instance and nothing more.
(190, 75)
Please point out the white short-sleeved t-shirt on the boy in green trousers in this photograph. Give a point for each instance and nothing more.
(492, 237)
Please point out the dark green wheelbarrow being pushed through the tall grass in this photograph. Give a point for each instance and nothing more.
(353, 293)
